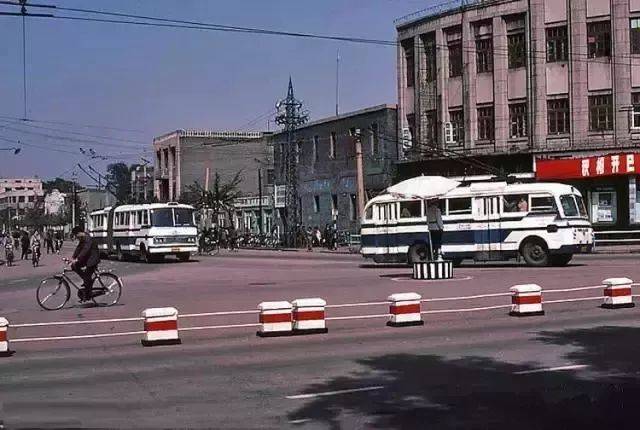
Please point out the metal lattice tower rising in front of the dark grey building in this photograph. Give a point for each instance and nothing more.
(291, 115)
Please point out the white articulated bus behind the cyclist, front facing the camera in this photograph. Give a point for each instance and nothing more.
(149, 231)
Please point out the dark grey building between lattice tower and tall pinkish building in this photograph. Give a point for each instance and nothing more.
(326, 163)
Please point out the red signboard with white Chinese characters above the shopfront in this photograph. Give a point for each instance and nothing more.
(590, 167)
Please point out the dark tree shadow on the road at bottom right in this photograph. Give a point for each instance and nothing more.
(429, 391)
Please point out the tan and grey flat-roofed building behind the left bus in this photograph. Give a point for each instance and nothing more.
(187, 156)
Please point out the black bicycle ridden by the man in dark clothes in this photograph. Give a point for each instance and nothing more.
(107, 293)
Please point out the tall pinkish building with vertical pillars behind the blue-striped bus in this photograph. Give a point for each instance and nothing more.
(549, 87)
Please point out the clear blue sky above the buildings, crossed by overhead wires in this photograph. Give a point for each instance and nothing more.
(154, 80)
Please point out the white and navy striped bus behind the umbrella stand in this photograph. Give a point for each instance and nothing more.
(544, 223)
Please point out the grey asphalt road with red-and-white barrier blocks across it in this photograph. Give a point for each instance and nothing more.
(575, 366)
